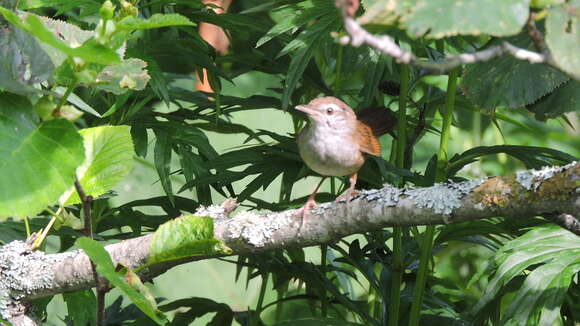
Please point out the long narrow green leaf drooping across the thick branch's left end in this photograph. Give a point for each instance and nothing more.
(100, 257)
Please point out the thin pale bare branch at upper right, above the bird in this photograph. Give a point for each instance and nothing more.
(358, 36)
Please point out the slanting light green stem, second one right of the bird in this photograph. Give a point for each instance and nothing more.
(440, 175)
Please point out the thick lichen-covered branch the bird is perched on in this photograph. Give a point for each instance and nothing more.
(27, 274)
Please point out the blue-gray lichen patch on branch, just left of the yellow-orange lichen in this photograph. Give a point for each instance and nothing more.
(442, 198)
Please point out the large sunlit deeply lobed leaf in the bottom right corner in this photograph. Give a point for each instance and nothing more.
(558, 251)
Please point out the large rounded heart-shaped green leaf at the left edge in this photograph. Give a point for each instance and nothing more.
(37, 163)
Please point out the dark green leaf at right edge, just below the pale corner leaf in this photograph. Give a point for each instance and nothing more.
(564, 99)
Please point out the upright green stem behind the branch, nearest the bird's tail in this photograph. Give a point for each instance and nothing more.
(397, 265)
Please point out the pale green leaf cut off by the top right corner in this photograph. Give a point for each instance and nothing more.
(563, 36)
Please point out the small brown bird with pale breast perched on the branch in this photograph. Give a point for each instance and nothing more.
(336, 140)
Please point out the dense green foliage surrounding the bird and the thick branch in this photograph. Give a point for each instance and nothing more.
(88, 89)
